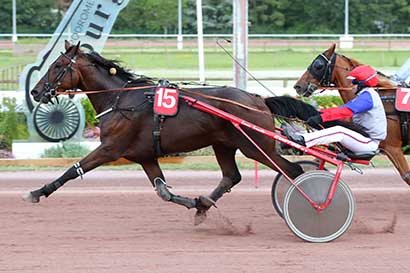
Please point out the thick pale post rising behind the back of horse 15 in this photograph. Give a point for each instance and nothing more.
(240, 42)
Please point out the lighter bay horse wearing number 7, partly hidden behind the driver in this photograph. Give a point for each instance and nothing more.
(329, 70)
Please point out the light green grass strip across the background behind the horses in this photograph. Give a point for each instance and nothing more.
(147, 57)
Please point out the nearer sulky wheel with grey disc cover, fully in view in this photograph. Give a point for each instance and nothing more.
(309, 224)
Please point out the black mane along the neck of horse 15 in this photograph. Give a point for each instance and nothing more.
(123, 73)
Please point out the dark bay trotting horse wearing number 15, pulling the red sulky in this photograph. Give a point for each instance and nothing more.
(127, 125)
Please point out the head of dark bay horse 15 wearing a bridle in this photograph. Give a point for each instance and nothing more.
(63, 74)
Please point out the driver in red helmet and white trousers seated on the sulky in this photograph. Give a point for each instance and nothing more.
(366, 111)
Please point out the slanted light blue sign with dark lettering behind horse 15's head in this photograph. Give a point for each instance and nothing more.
(86, 21)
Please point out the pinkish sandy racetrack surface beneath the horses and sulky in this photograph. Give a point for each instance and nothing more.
(112, 221)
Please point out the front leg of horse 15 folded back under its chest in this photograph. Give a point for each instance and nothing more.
(157, 179)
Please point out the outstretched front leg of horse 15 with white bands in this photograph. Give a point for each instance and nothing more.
(101, 155)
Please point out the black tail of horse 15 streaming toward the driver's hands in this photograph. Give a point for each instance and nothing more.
(290, 107)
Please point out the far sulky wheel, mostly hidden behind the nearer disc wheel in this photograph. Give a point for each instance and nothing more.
(281, 185)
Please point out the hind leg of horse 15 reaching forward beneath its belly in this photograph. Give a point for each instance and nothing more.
(230, 177)
